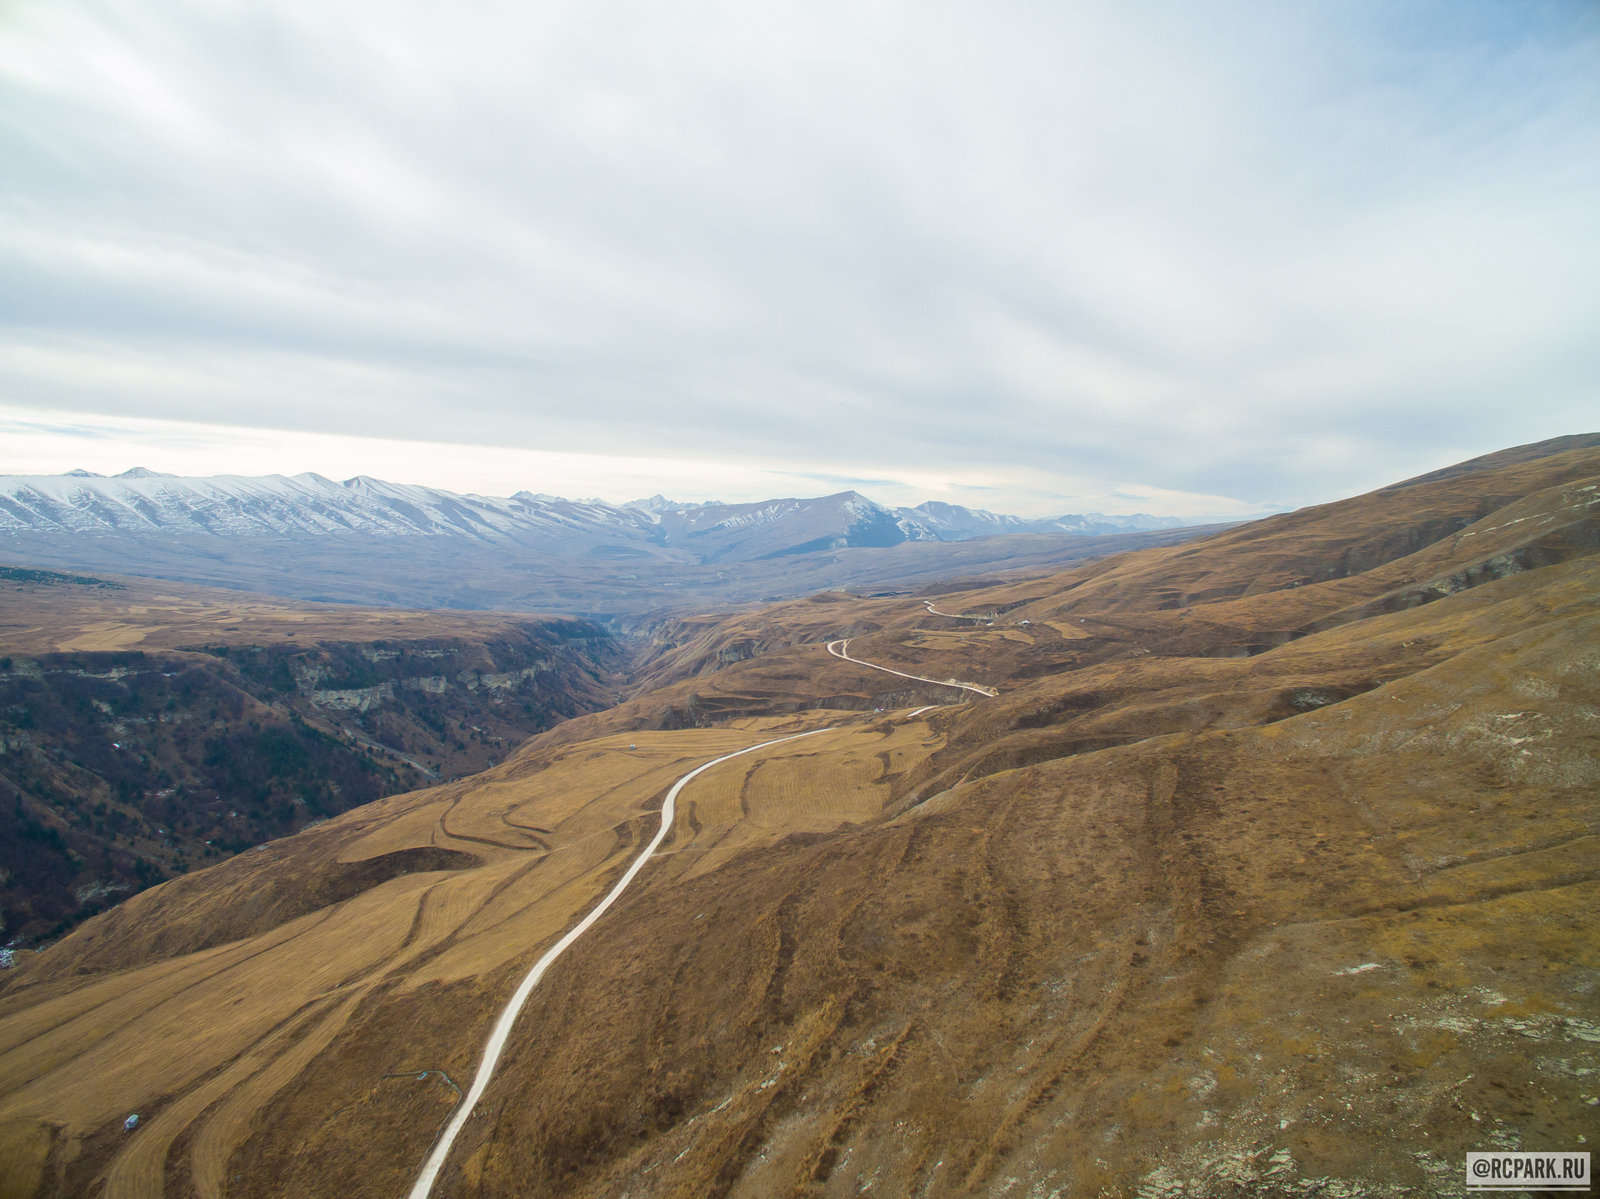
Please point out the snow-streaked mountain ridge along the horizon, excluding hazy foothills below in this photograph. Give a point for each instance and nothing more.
(142, 503)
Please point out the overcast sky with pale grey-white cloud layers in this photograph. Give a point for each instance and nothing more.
(1188, 259)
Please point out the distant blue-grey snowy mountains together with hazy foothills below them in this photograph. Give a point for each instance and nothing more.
(367, 540)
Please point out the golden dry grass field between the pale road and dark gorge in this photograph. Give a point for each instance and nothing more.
(551, 832)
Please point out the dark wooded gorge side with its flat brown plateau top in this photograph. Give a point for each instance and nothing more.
(145, 734)
